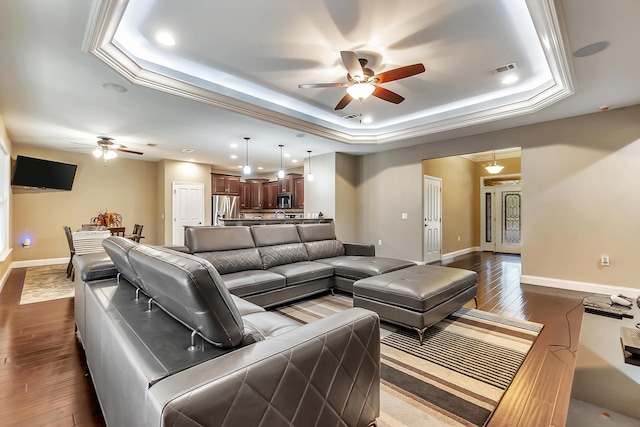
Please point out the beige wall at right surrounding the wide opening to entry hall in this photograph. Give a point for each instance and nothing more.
(587, 166)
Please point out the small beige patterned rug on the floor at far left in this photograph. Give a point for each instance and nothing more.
(46, 283)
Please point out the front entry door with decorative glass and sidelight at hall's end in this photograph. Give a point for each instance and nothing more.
(501, 209)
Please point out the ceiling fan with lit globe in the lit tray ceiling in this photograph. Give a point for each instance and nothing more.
(362, 81)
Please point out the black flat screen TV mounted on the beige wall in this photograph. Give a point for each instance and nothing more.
(40, 173)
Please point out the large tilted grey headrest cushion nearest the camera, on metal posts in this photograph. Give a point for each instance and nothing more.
(191, 290)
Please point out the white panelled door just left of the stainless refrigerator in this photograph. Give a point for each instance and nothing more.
(188, 208)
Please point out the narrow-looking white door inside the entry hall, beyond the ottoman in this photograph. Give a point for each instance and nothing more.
(432, 219)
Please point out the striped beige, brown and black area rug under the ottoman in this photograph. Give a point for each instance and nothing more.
(456, 378)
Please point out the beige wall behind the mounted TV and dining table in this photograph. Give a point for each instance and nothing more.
(124, 186)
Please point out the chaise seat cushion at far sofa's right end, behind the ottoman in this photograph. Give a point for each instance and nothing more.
(359, 267)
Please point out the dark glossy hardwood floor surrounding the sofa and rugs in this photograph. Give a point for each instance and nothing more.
(42, 381)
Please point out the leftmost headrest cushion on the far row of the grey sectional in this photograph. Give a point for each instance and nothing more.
(210, 239)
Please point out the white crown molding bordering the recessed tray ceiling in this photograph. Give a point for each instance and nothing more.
(107, 15)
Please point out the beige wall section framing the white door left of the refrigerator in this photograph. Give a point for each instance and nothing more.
(170, 171)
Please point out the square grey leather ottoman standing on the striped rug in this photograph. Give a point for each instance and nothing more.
(416, 297)
